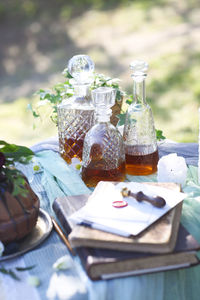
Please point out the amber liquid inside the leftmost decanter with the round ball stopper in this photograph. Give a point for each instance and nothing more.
(72, 148)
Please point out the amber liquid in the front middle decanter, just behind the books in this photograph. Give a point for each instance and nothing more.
(92, 176)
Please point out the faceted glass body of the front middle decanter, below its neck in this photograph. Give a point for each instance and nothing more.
(103, 155)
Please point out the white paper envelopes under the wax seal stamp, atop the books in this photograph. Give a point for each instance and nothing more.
(130, 220)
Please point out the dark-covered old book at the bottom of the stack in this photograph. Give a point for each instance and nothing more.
(107, 264)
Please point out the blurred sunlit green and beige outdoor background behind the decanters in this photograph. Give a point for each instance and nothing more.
(37, 38)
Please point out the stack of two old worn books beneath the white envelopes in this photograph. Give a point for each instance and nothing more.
(165, 245)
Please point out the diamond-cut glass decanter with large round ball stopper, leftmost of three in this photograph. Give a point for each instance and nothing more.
(76, 114)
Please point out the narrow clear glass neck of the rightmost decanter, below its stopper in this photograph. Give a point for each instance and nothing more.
(139, 89)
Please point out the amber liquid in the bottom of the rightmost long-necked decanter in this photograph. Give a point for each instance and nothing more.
(142, 164)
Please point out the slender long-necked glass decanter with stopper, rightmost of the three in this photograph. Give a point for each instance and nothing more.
(139, 131)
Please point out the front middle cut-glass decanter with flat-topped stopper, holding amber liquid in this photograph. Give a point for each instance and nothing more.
(103, 151)
